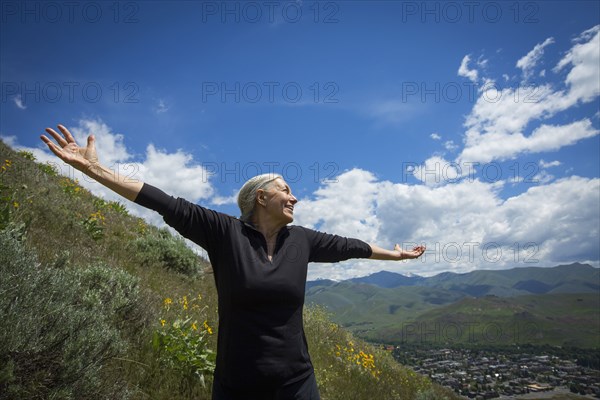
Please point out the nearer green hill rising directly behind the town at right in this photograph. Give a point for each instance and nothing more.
(554, 319)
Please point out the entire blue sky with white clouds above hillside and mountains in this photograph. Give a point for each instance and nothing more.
(471, 127)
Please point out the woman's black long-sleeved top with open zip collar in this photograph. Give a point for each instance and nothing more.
(261, 342)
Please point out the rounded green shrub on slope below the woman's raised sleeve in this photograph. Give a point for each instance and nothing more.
(168, 251)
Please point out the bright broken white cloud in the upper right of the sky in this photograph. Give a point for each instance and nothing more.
(497, 124)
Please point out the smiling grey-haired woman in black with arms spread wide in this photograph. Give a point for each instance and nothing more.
(260, 265)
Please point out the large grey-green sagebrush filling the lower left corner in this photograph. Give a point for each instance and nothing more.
(60, 327)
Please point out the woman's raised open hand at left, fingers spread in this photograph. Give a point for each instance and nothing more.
(81, 158)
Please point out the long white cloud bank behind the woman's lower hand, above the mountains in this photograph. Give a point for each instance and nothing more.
(465, 226)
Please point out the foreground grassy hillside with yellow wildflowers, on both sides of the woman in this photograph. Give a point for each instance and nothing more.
(99, 305)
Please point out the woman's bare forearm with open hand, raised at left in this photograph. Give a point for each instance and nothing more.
(85, 160)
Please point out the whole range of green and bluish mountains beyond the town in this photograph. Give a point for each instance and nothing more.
(558, 306)
